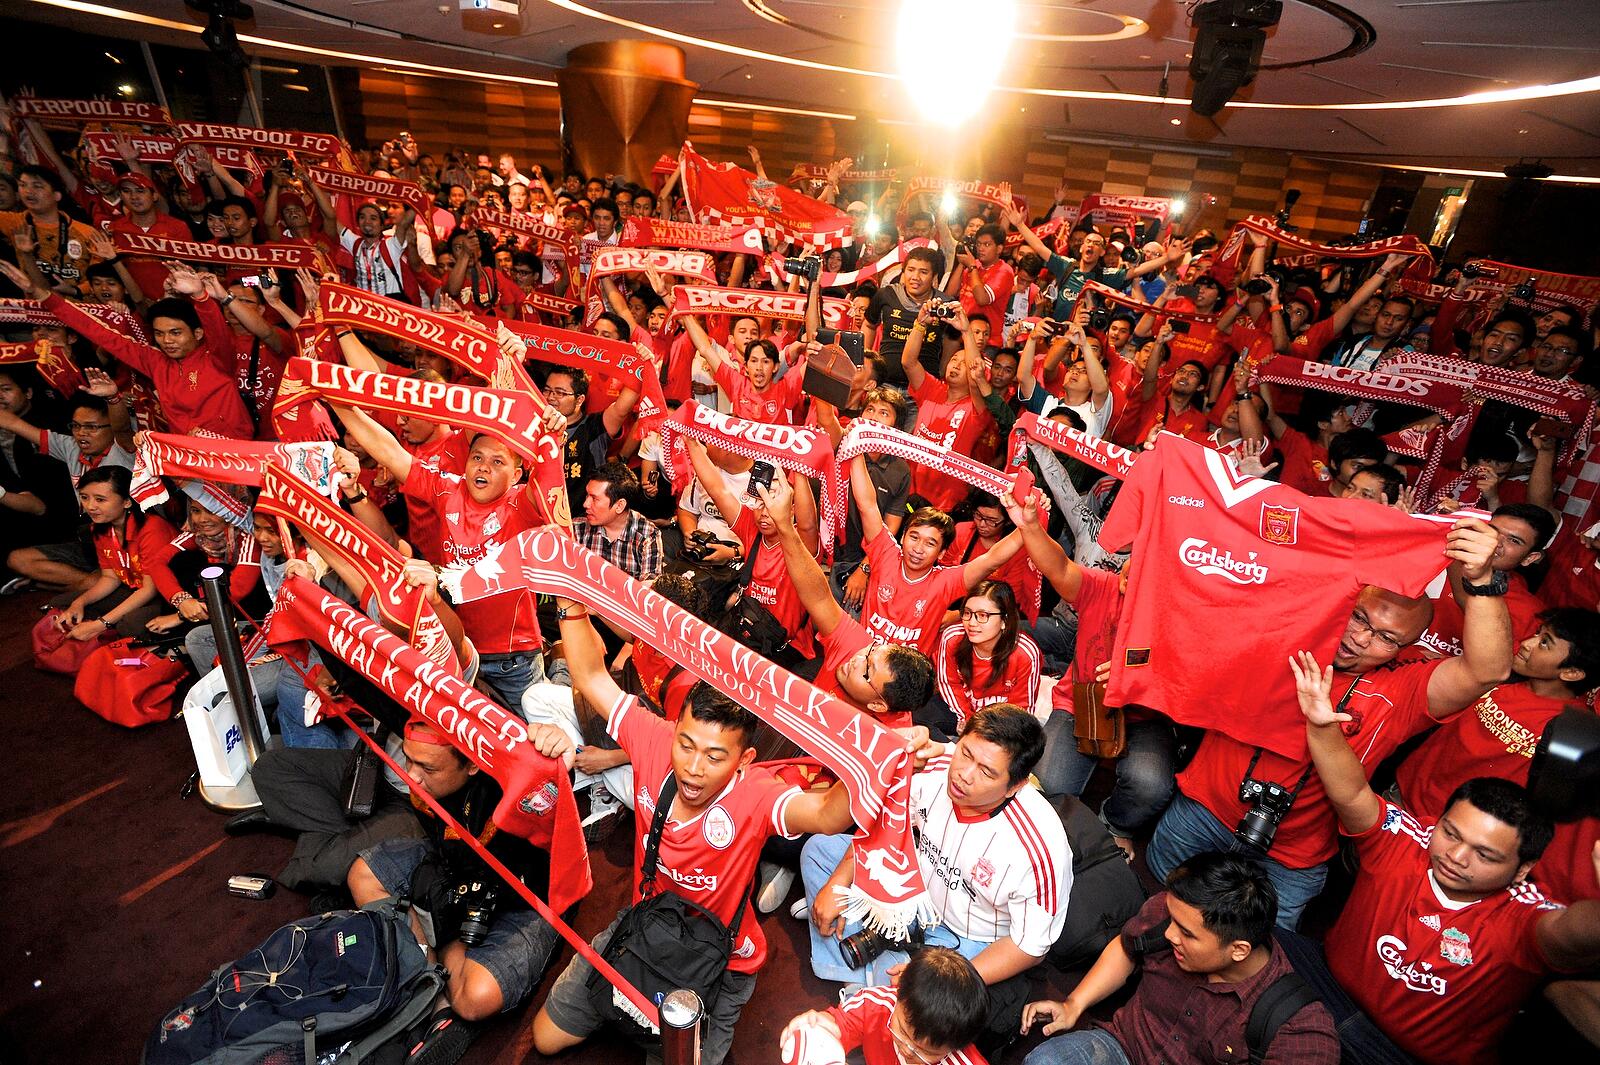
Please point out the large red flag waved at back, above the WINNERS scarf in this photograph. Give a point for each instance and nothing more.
(724, 194)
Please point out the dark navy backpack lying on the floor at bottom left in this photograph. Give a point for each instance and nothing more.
(348, 981)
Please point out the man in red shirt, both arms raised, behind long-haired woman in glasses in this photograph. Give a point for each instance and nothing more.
(908, 591)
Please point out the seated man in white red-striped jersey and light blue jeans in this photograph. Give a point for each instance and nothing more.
(993, 856)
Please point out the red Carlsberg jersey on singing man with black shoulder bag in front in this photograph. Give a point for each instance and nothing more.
(711, 858)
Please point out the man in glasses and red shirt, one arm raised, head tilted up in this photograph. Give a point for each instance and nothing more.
(886, 680)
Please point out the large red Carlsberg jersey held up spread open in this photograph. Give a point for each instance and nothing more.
(1212, 543)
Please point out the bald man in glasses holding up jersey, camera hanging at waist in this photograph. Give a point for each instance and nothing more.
(1391, 700)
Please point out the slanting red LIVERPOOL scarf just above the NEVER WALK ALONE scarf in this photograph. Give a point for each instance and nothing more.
(335, 533)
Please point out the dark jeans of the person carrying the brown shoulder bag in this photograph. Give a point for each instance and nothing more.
(1145, 773)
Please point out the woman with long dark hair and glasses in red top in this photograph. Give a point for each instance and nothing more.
(986, 660)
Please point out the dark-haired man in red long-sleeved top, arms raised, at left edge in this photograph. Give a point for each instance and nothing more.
(193, 361)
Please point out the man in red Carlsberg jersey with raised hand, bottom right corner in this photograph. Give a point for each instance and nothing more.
(1444, 935)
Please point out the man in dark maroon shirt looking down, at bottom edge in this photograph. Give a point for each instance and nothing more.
(1206, 960)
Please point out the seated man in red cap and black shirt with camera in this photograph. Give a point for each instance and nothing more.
(492, 944)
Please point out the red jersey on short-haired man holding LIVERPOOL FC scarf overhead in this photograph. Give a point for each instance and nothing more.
(476, 533)
